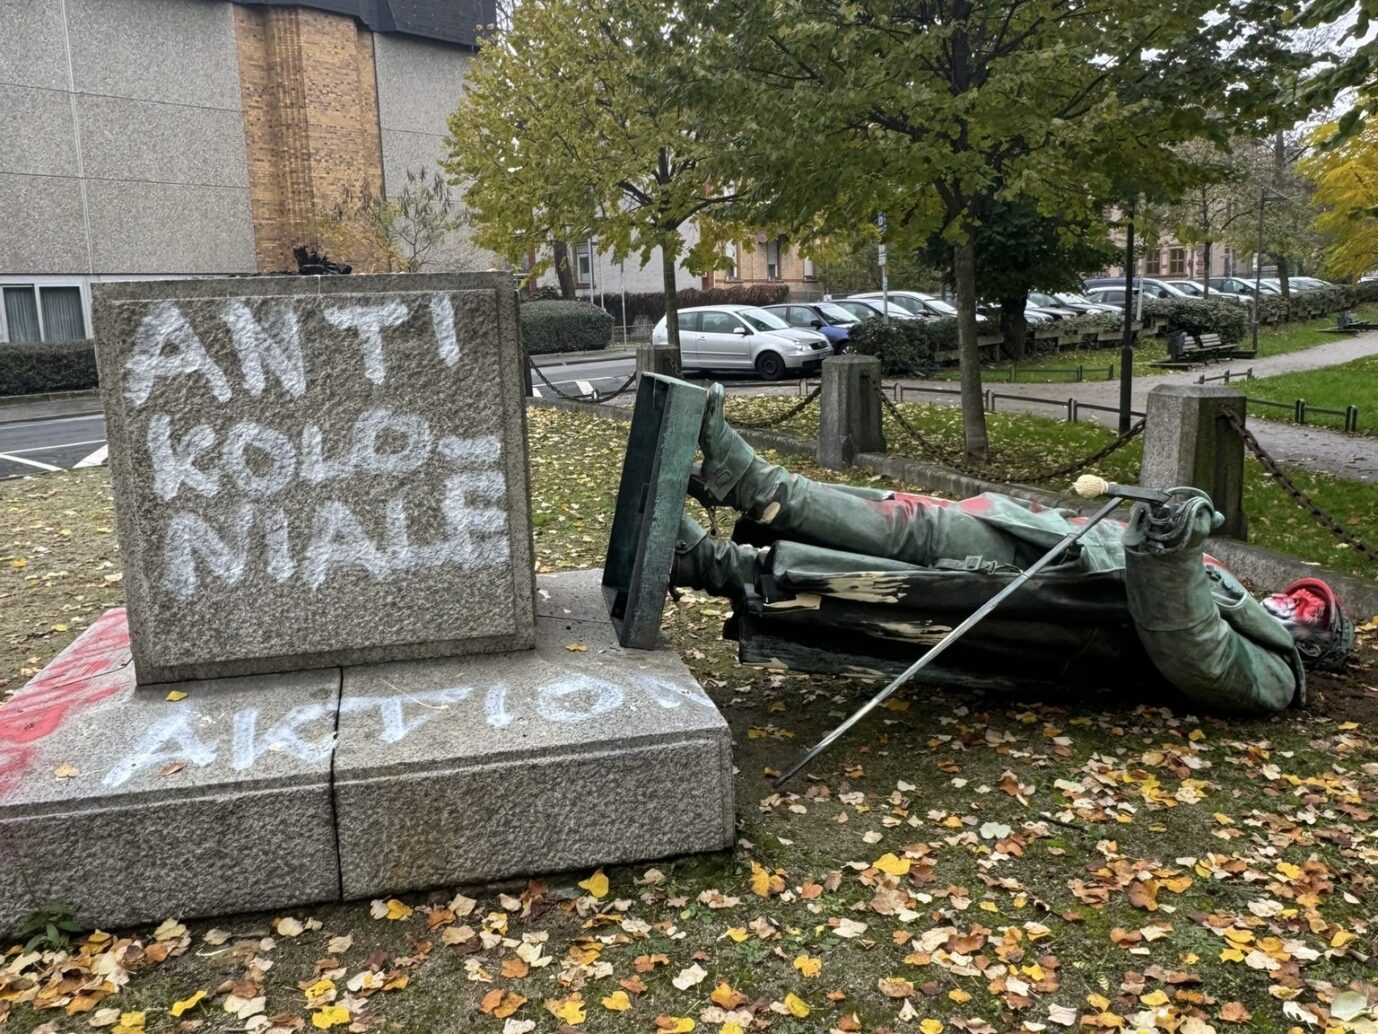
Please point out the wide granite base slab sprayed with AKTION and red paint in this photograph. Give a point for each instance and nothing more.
(268, 792)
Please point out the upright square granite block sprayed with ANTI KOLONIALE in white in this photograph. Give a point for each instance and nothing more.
(316, 471)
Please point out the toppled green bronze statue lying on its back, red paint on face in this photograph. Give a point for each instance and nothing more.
(861, 581)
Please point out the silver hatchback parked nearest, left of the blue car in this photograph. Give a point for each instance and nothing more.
(742, 337)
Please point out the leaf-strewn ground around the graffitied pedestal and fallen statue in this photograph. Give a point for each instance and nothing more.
(968, 862)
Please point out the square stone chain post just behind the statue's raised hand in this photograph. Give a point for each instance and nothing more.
(1189, 442)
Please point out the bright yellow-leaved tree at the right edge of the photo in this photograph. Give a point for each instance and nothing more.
(1347, 201)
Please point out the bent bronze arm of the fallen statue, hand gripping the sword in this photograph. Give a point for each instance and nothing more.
(1180, 624)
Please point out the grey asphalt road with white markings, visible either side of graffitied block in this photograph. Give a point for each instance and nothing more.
(34, 447)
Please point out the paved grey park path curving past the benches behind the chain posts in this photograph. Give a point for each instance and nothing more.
(1315, 449)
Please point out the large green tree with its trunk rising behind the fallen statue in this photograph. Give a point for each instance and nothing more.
(927, 111)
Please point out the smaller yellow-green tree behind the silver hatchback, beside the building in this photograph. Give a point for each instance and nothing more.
(592, 121)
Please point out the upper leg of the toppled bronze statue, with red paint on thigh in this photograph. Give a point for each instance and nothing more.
(903, 530)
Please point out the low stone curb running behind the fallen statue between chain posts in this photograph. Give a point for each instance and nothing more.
(1262, 567)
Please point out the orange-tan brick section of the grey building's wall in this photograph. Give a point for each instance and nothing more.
(311, 122)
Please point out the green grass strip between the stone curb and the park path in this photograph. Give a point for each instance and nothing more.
(1026, 445)
